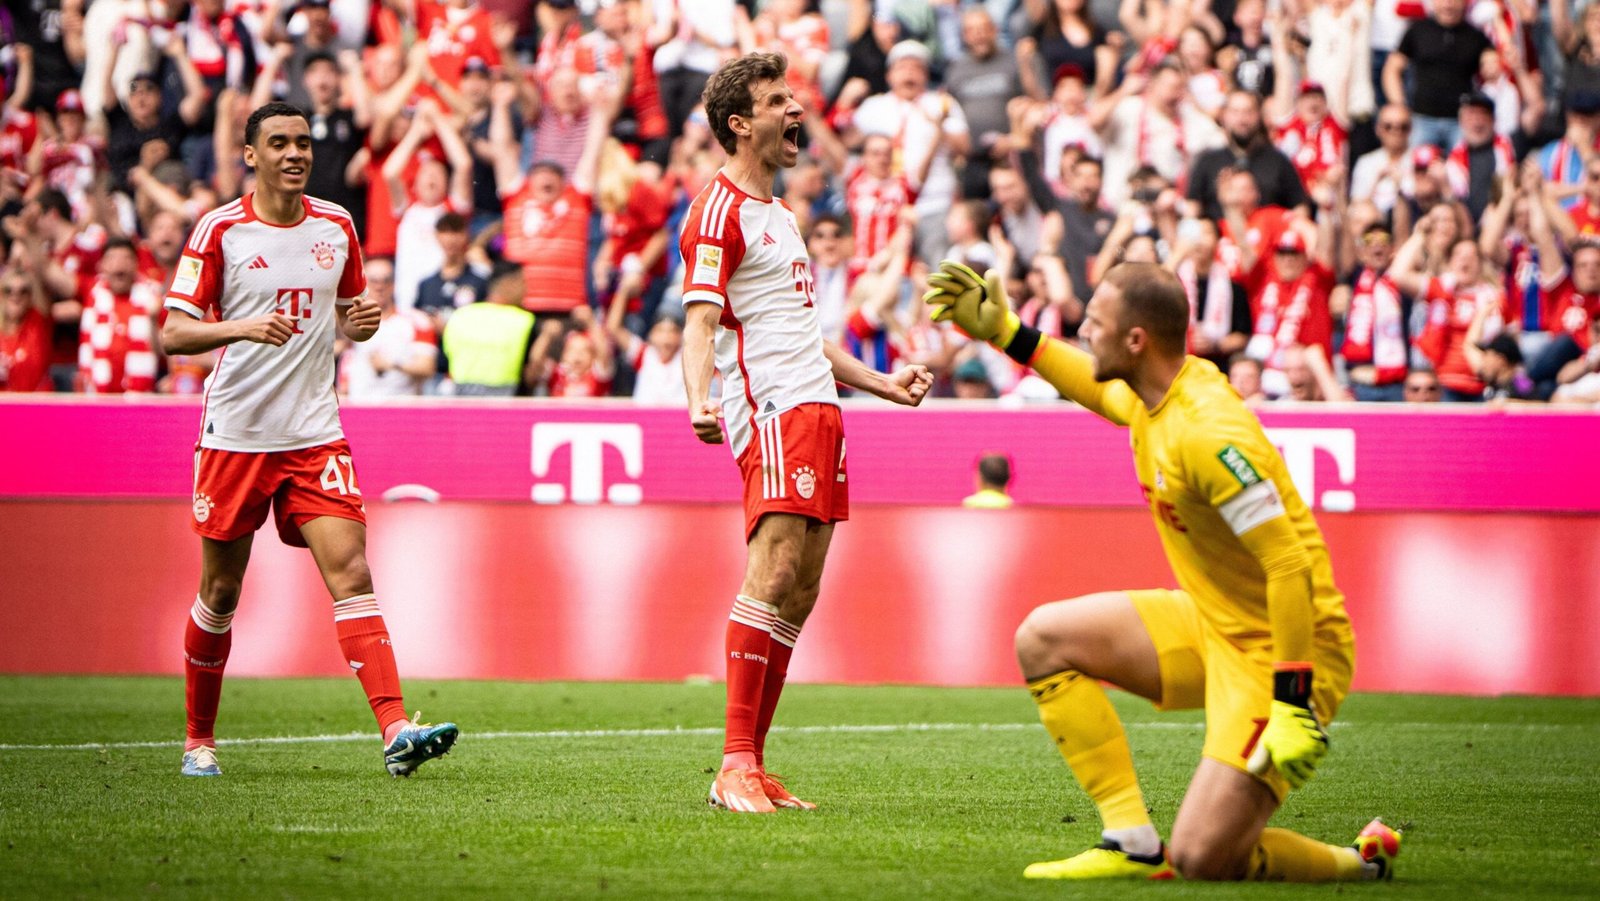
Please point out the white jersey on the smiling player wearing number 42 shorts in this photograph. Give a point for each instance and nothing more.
(263, 398)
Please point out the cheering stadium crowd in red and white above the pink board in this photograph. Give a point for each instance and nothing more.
(1366, 199)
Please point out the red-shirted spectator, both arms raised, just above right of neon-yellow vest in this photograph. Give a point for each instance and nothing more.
(546, 210)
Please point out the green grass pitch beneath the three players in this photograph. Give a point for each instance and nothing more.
(598, 791)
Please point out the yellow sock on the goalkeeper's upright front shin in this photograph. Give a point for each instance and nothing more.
(1087, 732)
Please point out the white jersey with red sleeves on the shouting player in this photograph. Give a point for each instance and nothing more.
(748, 257)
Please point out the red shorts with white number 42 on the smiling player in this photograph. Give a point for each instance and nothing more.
(234, 491)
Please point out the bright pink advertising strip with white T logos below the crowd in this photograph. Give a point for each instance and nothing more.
(1343, 459)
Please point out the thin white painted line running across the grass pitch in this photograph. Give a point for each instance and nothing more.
(854, 729)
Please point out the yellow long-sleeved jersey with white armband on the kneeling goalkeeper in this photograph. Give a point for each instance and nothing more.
(1222, 499)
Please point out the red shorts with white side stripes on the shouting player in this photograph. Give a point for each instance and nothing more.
(796, 465)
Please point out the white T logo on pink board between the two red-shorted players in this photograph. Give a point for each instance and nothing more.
(588, 444)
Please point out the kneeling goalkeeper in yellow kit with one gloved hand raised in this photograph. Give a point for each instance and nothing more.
(1258, 635)
